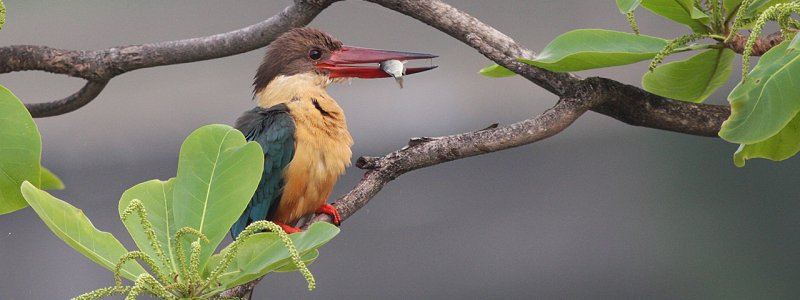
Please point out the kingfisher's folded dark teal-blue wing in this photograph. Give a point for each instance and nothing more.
(273, 128)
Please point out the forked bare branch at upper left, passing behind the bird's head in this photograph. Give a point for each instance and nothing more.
(99, 66)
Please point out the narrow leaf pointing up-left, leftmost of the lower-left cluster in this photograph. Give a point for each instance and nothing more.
(72, 226)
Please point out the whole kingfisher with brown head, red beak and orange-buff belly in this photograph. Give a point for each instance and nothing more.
(301, 129)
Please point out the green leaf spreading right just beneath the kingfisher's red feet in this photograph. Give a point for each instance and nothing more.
(264, 252)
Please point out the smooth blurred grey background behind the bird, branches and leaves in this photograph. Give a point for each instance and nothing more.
(602, 211)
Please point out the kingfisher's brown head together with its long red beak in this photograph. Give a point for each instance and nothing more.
(308, 50)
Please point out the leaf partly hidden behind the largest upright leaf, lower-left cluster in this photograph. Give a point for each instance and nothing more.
(156, 197)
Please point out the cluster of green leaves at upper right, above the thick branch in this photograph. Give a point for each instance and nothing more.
(764, 104)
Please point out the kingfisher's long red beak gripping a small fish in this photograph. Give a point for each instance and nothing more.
(342, 62)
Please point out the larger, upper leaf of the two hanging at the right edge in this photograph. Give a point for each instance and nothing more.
(763, 104)
